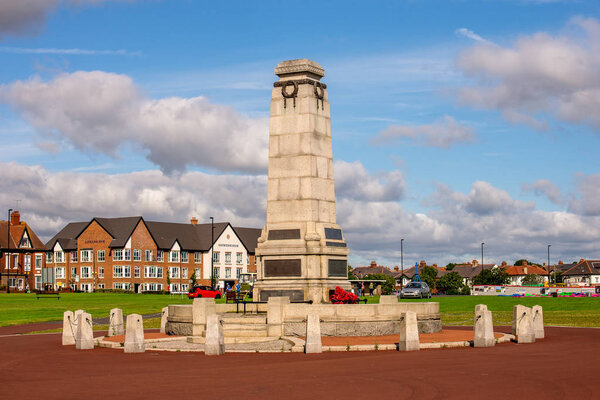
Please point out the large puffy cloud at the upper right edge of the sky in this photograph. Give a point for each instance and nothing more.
(541, 75)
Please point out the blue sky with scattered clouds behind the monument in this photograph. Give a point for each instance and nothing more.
(454, 123)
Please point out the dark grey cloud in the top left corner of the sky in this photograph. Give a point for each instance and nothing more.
(28, 16)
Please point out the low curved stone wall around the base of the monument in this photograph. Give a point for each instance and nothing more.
(337, 319)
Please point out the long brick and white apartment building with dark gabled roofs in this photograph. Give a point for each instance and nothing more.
(133, 254)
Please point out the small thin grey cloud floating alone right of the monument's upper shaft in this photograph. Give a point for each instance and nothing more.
(443, 133)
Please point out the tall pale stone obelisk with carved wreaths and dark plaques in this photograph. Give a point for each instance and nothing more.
(302, 253)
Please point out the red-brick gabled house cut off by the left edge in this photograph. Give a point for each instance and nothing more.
(22, 260)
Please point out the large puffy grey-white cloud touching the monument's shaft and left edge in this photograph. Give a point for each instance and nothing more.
(101, 112)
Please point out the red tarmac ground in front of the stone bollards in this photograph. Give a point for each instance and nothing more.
(564, 366)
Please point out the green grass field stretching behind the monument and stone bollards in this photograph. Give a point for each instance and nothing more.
(456, 310)
